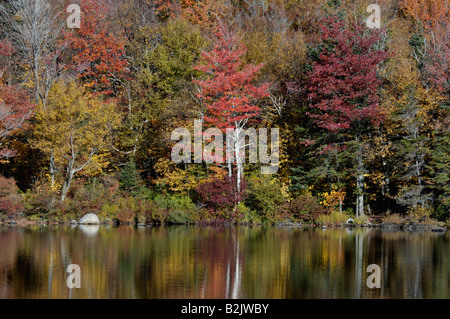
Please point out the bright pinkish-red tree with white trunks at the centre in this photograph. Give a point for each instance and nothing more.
(228, 93)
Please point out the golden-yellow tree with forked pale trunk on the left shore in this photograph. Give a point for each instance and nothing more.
(74, 130)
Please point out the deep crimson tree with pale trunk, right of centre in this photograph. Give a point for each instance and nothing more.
(343, 86)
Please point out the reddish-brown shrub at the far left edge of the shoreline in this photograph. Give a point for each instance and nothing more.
(11, 202)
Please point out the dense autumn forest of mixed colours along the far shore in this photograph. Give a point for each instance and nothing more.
(89, 99)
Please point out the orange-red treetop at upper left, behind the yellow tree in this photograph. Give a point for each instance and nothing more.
(95, 55)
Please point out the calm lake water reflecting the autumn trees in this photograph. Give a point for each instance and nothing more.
(195, 262)
